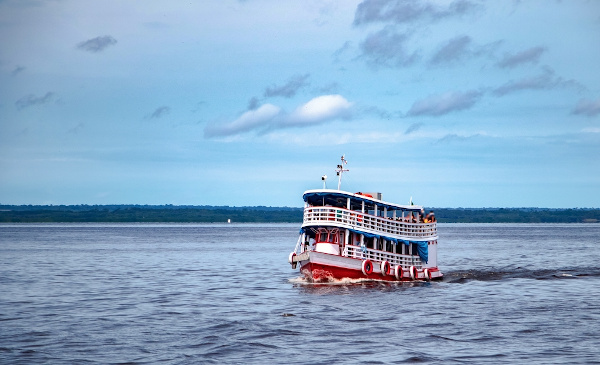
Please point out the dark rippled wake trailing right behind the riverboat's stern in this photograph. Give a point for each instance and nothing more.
(519, 273)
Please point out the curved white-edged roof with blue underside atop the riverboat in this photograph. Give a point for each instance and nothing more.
(338, 198)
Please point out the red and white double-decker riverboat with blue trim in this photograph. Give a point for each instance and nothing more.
(348, 235)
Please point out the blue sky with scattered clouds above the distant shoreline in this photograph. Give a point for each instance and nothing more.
(455, 103)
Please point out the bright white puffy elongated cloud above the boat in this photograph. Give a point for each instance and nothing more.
(267, 117)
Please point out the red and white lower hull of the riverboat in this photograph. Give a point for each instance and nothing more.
(323, 267)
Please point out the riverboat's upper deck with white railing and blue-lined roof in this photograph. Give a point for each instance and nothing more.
(361, 213)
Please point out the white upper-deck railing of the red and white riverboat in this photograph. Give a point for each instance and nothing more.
(397, 228)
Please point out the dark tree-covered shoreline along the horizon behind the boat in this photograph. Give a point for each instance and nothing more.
(261, 214)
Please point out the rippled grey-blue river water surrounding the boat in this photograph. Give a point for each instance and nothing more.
(179, 294)
